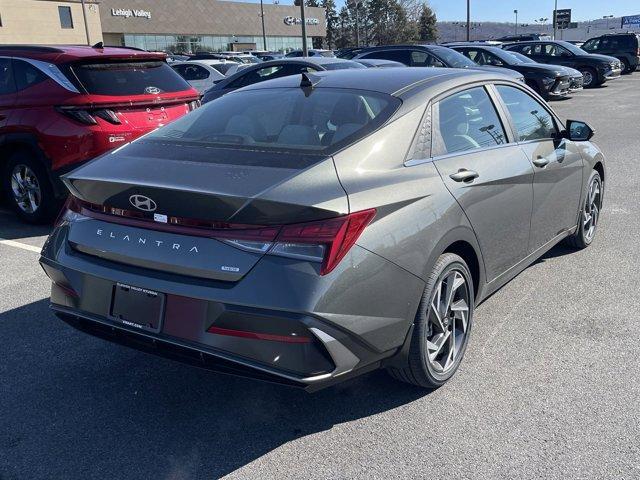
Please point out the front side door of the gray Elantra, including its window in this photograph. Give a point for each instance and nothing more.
(558, 165)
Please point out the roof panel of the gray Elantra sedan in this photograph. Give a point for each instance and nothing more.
(400, 81)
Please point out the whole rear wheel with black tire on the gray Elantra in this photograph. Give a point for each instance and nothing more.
(421, 368)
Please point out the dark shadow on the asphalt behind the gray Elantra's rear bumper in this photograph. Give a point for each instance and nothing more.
(86, 408)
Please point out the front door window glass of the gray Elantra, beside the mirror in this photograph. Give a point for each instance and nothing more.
(531, 120)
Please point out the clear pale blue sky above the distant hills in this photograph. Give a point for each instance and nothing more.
(528, 10)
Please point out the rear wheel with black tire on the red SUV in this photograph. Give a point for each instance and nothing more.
(37, 181)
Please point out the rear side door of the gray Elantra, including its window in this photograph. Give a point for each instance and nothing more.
(491, 178)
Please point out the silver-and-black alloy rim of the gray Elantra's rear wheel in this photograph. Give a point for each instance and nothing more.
(448, 322)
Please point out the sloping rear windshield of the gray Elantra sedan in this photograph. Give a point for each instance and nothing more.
(284, 118)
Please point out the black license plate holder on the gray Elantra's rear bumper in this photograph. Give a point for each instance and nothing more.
(137, 307)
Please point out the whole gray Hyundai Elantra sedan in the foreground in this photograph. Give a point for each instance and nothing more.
(312, 228)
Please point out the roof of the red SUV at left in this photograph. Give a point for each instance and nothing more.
(70, 53)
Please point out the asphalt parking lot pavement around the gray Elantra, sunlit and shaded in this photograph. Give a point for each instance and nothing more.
(549, 387)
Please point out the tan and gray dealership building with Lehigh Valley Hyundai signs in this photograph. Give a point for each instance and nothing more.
(168, 25)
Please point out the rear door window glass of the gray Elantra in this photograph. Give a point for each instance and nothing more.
(468, 120)
